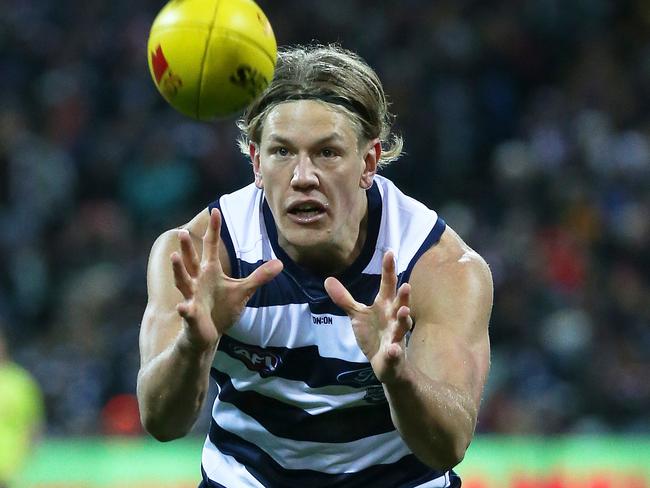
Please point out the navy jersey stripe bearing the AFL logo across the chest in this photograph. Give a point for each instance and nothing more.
(298, 364)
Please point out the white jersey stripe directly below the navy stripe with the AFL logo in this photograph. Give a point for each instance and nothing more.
(291, 392)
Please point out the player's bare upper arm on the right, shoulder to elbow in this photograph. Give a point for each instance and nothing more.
(451, 305)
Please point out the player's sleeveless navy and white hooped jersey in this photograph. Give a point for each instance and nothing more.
(298, 403)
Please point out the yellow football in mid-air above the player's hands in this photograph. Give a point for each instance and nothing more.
(210, 58)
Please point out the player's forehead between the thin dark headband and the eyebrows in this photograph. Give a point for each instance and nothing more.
(308, 121)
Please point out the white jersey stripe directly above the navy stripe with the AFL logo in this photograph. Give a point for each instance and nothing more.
(291, 326)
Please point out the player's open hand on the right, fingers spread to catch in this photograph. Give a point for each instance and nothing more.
(380, 329)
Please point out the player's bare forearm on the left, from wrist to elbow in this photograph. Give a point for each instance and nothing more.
(171, 389)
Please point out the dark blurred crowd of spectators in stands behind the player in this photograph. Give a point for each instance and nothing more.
(527, 126)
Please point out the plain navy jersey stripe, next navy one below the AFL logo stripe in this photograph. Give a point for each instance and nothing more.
(290, 422)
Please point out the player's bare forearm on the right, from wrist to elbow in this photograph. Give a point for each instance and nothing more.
(435, 419)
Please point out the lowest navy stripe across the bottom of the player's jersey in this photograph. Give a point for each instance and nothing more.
(405, 473)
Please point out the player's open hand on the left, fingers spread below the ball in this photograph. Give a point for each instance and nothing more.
(212, 300)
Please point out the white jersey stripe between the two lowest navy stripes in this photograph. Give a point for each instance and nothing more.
(333, 458)
